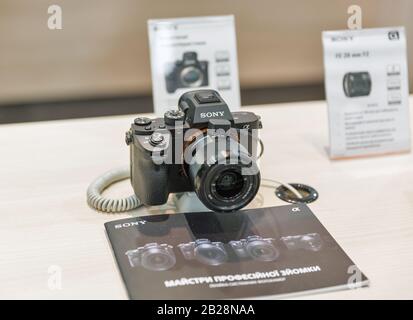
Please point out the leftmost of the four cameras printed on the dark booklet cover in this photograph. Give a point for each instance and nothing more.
(152, 256)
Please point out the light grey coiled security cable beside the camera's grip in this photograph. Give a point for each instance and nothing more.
(101, 203)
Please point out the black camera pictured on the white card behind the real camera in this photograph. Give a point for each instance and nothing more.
(186, 73)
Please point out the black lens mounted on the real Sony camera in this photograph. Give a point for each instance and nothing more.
(227, 180)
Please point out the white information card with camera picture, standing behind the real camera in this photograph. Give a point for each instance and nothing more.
(190, 54)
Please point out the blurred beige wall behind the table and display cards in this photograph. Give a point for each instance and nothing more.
(102, 50)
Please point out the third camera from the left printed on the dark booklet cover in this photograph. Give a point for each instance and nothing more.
(256, 248)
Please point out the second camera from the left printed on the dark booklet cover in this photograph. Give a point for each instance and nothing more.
(204, 251)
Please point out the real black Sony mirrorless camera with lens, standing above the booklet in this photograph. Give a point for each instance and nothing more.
(201, 147)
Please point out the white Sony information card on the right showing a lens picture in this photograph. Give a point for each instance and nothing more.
(366, 81)
